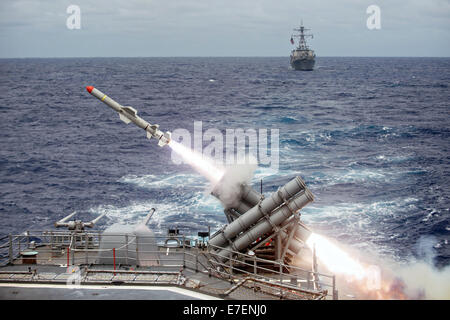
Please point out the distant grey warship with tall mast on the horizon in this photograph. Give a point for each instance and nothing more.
(302, 57)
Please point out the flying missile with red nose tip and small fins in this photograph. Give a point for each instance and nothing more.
(129, 114)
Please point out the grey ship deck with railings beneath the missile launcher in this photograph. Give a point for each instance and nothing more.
(71, 270)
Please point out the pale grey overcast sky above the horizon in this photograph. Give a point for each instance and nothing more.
(172, 28)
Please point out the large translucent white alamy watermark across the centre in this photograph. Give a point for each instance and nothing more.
(231, 146)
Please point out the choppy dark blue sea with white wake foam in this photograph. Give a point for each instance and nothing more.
(370, 136)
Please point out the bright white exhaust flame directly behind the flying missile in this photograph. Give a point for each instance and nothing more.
(201, 164)
